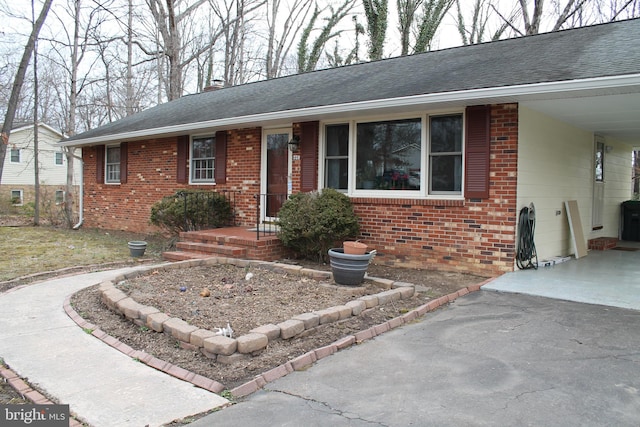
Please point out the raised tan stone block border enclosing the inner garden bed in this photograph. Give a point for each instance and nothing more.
(228, 350)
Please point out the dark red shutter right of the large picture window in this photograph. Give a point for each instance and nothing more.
(477, 148)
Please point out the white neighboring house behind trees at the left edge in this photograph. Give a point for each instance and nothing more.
(18, 175)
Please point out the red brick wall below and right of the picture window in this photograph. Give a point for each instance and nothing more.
(471, 235)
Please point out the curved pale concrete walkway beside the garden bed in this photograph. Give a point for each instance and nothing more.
(102, 386)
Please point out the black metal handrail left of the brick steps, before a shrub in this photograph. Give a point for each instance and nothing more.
(202, 209)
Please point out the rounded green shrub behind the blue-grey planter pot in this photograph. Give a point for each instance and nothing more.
(312, 223)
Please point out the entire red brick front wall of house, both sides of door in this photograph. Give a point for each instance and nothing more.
(468, 235)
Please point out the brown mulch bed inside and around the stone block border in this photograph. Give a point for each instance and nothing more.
(267, 297)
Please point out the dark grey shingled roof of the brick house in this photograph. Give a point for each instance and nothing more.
(579, 54)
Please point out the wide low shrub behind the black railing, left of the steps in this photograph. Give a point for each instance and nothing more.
(202, 210)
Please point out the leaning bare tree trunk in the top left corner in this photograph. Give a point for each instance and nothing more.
(18, 82)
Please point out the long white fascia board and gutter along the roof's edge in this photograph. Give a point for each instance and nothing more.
(468, 96)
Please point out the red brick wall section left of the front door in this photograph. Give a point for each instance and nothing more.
(152, 175)
